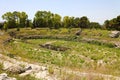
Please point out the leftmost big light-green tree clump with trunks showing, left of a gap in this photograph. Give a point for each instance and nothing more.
(15, 19)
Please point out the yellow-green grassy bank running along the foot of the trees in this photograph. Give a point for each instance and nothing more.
(86, 33)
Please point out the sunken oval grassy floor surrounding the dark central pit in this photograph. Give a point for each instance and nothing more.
(76, 58)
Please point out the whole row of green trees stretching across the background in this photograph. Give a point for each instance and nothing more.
(47, 19)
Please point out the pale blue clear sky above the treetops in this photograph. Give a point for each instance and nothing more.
(95, 10)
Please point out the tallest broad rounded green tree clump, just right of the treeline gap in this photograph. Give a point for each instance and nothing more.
(47, 19)
